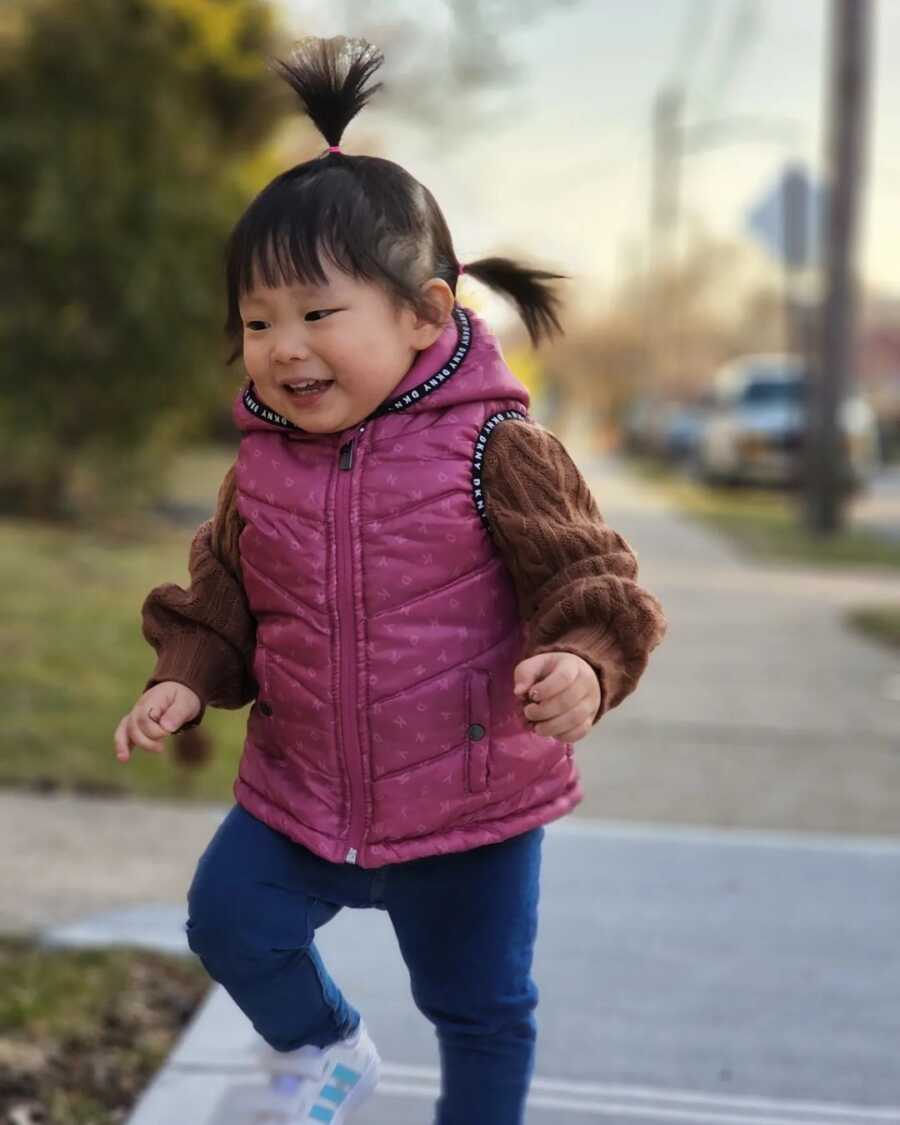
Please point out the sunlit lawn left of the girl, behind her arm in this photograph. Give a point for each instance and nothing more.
(75, 659)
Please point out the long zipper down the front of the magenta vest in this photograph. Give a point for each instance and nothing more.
(347, 633)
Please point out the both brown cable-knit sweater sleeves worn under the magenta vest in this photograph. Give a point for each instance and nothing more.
(574, 578)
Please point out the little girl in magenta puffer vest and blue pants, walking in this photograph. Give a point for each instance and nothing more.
(410, 578)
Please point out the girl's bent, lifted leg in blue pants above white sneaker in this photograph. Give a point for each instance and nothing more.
(253, 921)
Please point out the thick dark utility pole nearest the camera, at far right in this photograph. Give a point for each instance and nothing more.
(826, 460)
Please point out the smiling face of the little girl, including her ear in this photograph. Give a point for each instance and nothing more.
(347, 335)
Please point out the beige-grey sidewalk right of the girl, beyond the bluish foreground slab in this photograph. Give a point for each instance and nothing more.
(761, 709)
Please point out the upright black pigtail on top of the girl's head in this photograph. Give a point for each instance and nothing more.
(329, 76)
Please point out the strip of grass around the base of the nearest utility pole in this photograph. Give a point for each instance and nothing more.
(767, 524)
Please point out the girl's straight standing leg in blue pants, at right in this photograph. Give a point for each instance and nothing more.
(466, 924)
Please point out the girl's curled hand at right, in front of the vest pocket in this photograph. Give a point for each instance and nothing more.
(565, 692)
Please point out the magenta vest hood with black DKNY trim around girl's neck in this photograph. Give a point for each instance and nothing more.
(463, 366)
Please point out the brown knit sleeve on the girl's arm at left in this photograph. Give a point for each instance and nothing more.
(205, 636)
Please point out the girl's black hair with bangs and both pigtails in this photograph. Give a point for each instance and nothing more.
(368, 217)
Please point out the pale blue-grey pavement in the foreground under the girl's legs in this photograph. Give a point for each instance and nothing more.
(716, 978)
